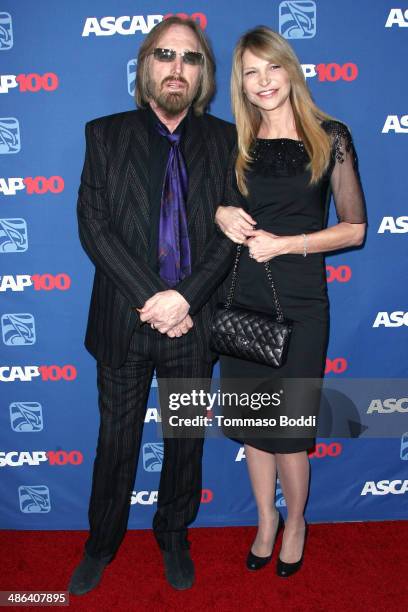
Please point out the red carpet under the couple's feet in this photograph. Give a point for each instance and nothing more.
(347, 566)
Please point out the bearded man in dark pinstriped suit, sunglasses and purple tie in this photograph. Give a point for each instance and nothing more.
(151, 182)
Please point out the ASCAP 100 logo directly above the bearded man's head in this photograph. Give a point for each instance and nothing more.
(129, 25)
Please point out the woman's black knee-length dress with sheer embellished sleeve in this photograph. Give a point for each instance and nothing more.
(282, 202)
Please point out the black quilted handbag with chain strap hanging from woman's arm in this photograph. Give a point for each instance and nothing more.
(248, 334)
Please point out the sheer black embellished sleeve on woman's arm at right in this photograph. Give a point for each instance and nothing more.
(345, 179)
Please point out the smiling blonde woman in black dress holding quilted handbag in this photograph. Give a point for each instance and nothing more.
(289, 155)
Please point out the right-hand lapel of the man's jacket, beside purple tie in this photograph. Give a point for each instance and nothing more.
(194, 152)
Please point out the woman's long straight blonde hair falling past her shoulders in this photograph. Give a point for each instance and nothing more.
(269, 45)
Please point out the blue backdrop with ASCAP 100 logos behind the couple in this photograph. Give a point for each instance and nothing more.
(65, 63)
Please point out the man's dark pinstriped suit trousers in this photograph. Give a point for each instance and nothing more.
(123, 395)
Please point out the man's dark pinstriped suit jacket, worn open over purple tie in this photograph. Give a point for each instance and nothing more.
(114, 216)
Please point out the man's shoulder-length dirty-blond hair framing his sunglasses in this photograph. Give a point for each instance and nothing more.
(206, 88)
